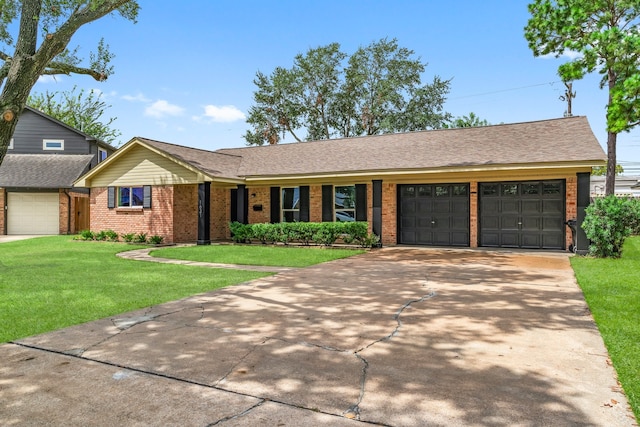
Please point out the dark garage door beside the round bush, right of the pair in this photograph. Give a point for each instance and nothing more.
(522, 214)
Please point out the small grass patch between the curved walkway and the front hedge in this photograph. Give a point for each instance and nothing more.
(283, 256)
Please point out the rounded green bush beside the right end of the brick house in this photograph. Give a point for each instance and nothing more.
(608, 222)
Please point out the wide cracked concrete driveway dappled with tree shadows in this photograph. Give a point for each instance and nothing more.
(398, 336)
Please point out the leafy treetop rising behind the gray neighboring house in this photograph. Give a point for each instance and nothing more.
(79, 109)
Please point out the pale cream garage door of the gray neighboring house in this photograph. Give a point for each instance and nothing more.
(33, 213)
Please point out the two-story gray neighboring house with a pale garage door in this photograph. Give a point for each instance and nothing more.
(44, 158)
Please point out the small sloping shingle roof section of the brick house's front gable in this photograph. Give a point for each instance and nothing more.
(215, 164)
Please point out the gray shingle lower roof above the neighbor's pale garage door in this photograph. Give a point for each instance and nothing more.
(43, 170)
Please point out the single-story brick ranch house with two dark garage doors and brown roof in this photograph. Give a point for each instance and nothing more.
(509, 185)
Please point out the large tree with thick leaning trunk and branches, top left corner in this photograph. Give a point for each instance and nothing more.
(34, 35)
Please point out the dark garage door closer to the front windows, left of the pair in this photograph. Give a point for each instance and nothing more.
(434, 214)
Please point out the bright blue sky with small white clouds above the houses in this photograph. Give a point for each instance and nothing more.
(184, 73)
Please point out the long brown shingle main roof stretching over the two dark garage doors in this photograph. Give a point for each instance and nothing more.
(547, 141)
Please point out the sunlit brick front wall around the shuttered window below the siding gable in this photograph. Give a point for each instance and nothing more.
(155, 221)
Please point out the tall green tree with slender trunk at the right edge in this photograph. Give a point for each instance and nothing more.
(605, 35)
